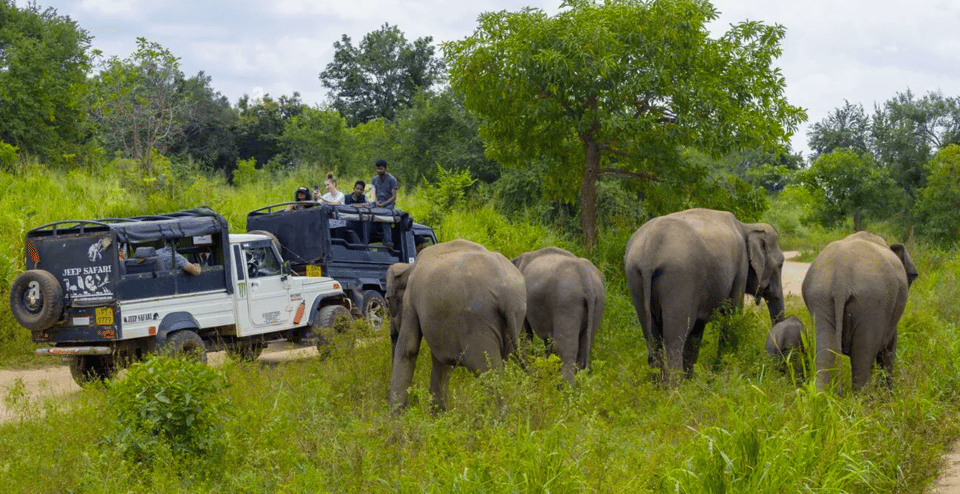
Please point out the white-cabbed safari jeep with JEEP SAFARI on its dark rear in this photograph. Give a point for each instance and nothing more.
(101, 293)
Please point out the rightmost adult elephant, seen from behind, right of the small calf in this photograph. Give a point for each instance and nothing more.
(856, 291)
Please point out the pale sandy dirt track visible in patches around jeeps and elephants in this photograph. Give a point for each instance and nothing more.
(56, 382)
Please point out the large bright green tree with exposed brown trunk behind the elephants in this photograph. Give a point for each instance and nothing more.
(620, 87)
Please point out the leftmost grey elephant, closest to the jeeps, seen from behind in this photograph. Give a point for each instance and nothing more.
(467, 302)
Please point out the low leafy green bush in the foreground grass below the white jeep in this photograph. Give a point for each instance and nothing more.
(168, 402)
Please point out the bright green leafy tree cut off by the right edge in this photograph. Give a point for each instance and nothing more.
(938, 208)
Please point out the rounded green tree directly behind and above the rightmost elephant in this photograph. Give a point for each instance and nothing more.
(851, 185)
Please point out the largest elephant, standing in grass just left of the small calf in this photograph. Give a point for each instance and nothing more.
(683, 266)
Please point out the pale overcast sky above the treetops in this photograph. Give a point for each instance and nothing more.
(862, 51)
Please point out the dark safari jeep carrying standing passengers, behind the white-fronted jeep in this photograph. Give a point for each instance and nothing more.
(345, 242)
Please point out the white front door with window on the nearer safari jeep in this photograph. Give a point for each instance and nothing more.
(267, 287)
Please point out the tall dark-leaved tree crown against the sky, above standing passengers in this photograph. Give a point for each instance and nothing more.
(381, 75)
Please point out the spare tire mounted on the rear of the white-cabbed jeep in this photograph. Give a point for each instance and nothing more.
(36, 299)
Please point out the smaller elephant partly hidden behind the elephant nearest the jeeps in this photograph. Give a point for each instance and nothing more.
(565, 300)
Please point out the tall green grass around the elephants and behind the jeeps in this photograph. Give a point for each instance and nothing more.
(740, 424)
